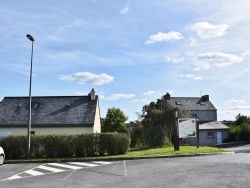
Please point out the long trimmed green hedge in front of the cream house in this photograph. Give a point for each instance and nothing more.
(82, 145)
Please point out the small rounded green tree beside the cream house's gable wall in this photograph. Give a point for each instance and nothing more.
(115, 121)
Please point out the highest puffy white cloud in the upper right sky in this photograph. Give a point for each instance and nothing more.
(206, 30)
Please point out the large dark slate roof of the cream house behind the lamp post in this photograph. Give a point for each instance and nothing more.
(48, 111)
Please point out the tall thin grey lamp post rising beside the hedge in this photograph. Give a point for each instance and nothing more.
(29, 121)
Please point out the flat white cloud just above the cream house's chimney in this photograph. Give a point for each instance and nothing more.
(87, 77)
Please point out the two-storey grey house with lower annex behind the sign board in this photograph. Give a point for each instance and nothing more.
(211, 131)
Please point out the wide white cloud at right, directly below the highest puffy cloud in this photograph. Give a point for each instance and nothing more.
(218, 59)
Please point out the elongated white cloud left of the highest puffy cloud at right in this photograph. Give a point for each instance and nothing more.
(160, 37)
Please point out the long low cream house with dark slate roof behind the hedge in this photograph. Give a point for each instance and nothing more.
(50, 115)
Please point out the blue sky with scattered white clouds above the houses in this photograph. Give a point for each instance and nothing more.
(130, 52)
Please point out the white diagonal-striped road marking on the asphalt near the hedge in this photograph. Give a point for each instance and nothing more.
(51, 168)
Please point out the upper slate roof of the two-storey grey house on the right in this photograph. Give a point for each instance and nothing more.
(192, 103)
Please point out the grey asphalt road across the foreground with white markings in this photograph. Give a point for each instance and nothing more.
(225, 170)
